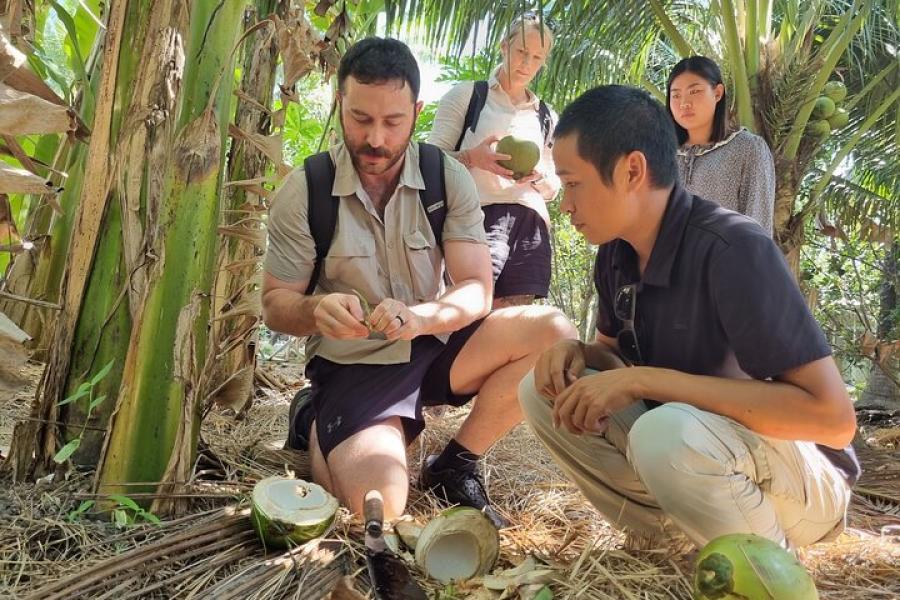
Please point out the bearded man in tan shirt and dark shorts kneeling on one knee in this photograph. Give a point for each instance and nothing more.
(424, 342)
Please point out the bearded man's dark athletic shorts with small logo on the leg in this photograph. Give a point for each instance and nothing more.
(349, 398)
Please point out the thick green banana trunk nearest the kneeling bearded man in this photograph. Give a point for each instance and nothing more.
(153, 432)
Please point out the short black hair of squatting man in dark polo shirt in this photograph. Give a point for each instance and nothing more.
(614, 120)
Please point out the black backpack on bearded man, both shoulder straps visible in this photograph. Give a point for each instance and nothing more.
(323, 207)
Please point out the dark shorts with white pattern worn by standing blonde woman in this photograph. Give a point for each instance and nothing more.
(520, 250)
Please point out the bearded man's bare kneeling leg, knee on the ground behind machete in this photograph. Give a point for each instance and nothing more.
(373, 459)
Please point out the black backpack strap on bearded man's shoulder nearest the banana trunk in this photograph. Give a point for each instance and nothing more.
(322, 208)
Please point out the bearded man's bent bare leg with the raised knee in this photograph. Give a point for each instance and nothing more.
(493, 362)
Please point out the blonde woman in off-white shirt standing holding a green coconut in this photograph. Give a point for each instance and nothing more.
(470, 119)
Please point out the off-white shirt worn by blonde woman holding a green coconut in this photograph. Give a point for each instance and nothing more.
(499, 117)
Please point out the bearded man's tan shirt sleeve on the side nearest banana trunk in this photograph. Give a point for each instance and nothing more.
(291, 251)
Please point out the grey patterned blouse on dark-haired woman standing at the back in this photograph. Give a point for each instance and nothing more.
(738, 173)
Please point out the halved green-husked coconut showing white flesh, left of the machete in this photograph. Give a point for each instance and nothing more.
(287, 512)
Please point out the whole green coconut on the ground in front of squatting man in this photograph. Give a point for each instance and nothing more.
(750, 567)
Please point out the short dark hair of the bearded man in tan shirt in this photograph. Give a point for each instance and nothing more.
(377, 60)
